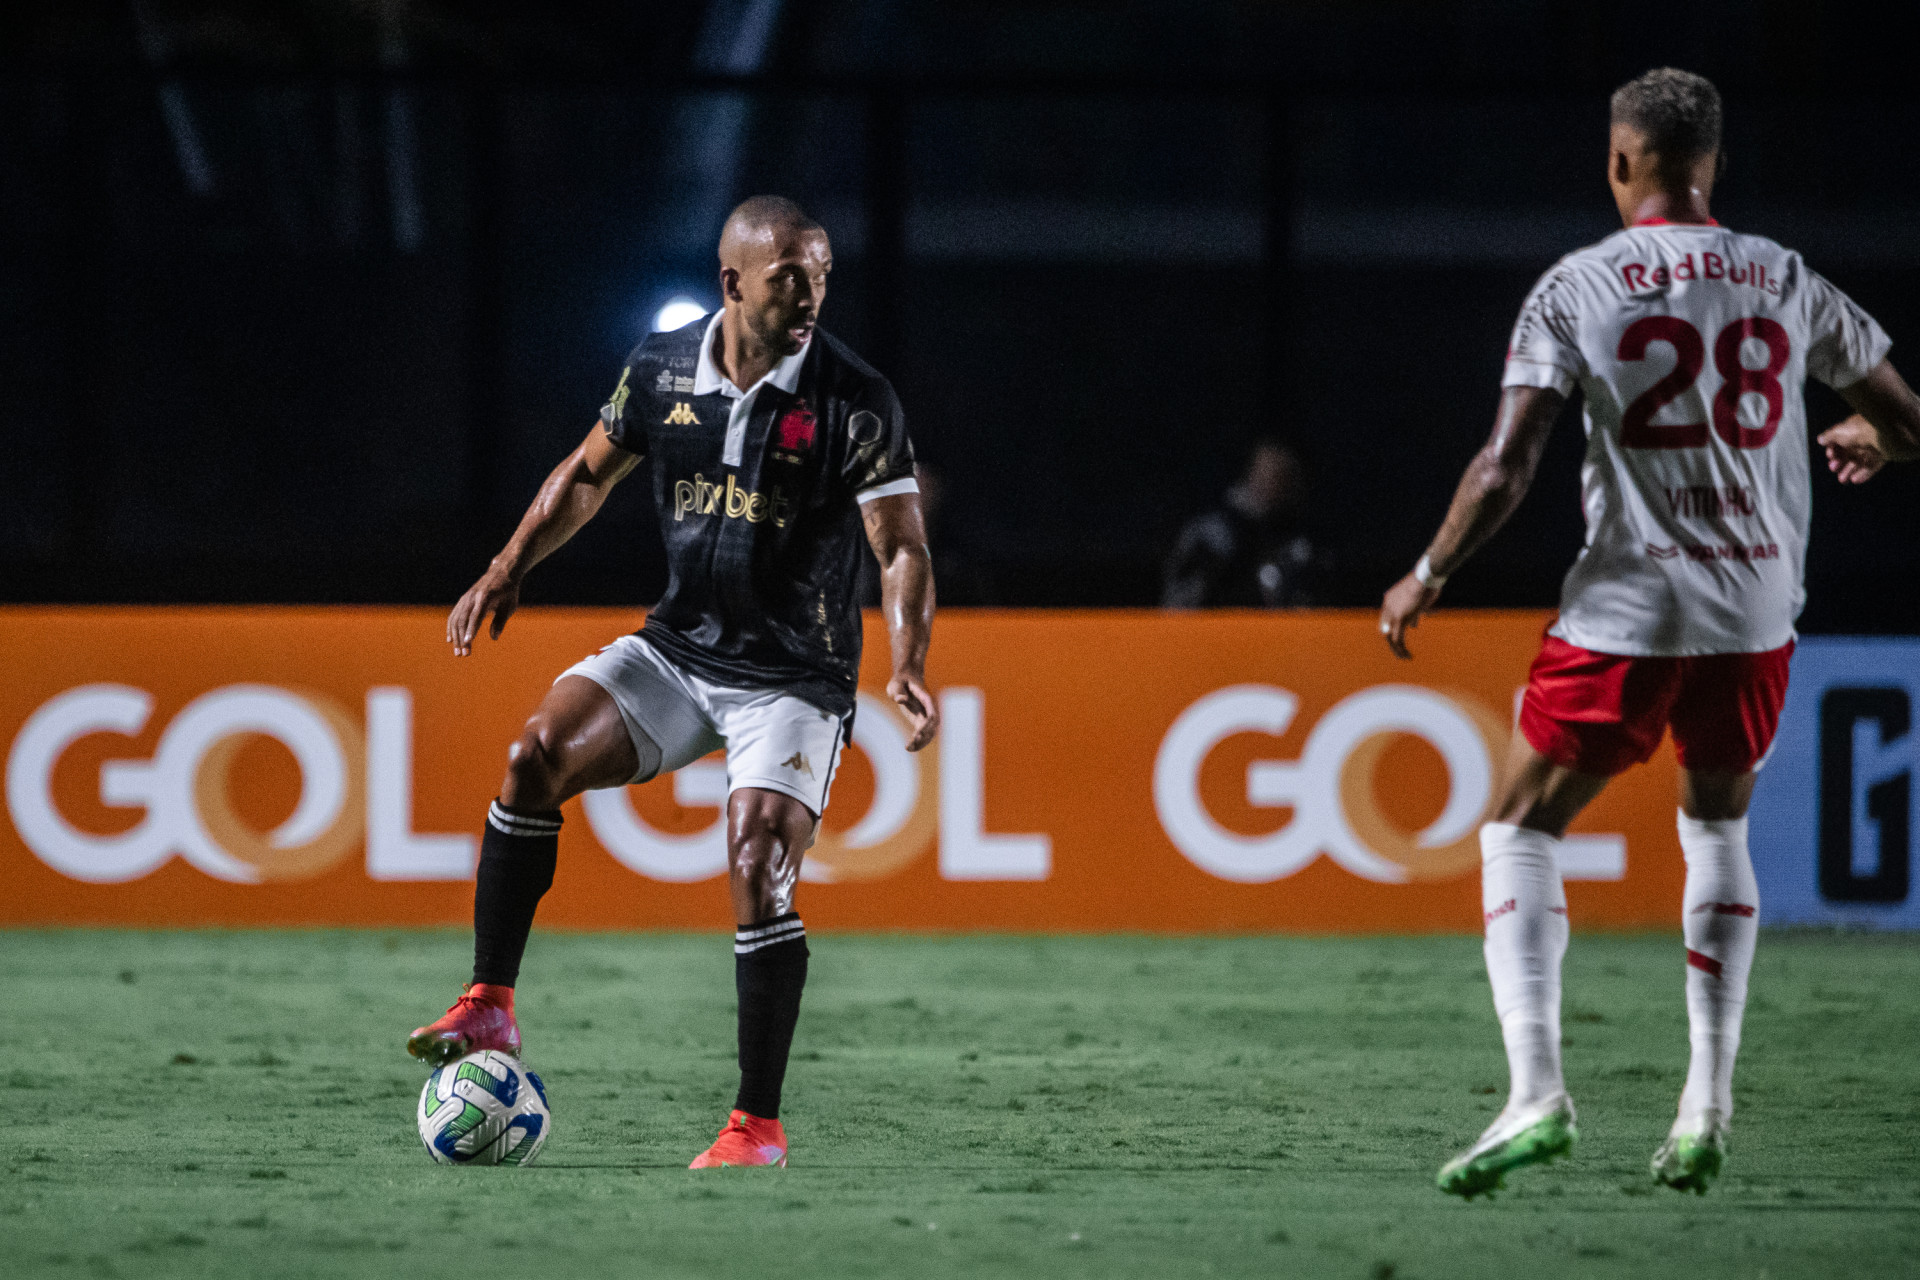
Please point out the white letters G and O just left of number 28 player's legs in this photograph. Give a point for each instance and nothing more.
(1312, 784)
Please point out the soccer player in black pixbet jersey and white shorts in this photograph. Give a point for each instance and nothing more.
(773, 448)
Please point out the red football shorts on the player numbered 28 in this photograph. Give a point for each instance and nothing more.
(1600, 713)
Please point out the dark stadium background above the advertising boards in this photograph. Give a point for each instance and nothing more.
(302, 300)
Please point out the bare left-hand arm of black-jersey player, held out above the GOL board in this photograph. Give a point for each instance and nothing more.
(565, 502)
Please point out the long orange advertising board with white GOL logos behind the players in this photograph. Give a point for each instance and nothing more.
(1097, 770)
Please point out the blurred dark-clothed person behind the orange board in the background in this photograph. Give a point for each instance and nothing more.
(1253, 552)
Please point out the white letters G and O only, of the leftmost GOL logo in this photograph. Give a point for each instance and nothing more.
(166, 784)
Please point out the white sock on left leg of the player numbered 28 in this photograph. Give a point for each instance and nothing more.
(1525, 911)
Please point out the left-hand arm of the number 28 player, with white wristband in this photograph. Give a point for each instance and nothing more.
(1495, 485)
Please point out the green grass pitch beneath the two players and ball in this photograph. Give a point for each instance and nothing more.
(237, 1104)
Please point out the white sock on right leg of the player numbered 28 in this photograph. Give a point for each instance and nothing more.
(1721, 924)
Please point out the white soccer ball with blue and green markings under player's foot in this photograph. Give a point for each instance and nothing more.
(485, 1110)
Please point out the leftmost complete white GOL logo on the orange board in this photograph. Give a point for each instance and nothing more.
(350, 786)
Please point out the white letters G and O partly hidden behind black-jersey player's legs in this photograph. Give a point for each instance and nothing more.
(702, 855)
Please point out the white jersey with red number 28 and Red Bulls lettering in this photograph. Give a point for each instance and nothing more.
(1692, 346)
